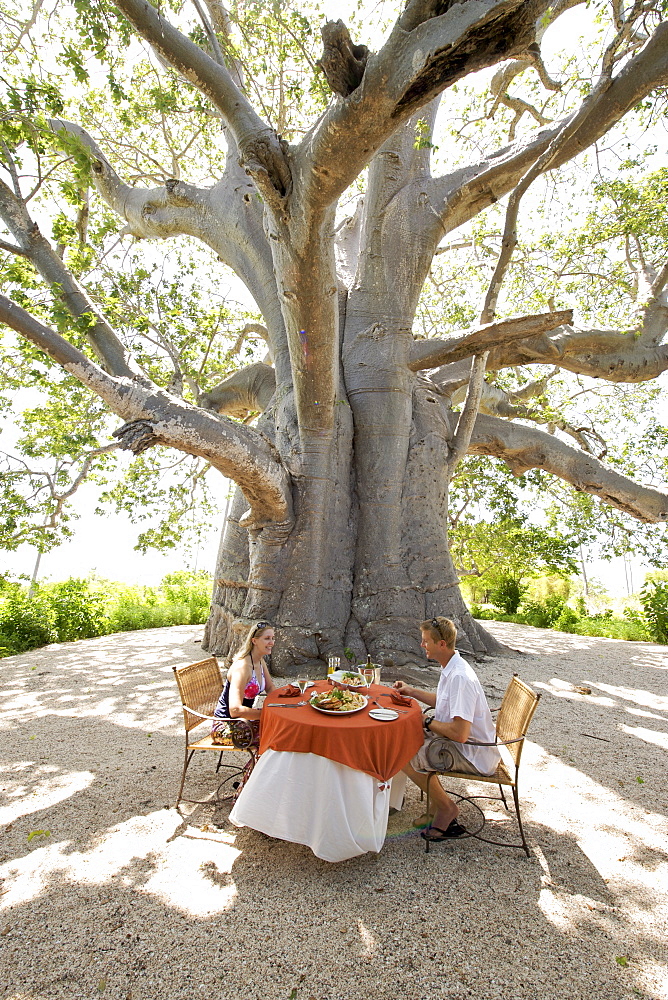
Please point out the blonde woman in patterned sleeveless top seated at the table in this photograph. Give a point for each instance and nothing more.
(247, 677)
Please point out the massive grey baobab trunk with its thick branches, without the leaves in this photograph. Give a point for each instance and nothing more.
(338, 530)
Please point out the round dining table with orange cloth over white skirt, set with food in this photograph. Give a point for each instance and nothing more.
(326, 780)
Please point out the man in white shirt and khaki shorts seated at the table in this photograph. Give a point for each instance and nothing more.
(462, 714)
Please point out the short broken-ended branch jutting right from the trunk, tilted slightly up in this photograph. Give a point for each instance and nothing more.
(433, 353)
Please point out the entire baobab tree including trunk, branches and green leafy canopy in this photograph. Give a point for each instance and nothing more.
(452, 241)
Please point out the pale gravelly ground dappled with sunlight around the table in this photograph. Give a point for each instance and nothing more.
(107, 891)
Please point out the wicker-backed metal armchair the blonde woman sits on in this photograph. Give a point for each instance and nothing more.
(200, 685)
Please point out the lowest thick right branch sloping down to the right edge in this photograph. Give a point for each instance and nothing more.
(523, 448)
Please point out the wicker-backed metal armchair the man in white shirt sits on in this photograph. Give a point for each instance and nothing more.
(512, 722)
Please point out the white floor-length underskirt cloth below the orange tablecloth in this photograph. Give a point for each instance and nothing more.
(336, 811)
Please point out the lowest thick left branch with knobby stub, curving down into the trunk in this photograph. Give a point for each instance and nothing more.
(237, 451)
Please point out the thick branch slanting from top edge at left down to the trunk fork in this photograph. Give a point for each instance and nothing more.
(261, 150)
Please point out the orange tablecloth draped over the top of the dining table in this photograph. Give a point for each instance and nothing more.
(380, 749)
